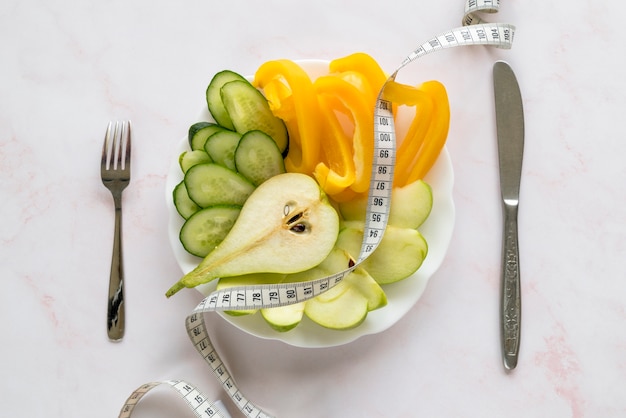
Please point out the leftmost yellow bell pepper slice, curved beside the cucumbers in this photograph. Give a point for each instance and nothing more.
(296, 103)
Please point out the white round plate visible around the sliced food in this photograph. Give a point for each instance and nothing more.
(401, 296)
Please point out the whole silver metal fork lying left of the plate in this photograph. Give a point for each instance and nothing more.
(115, 173)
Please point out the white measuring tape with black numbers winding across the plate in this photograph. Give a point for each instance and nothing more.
(473, 32)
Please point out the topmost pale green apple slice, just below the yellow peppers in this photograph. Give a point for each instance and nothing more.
(410, 206)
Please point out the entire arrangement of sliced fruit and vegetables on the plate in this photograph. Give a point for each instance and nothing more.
(286, 127)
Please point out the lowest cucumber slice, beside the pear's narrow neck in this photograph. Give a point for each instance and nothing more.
(205, 229)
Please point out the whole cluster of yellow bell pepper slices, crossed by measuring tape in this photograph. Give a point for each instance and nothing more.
(330, 121)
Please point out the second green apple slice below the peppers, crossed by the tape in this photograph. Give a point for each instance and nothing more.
(399, 254)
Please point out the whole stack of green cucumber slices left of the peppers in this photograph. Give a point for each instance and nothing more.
(227, 160)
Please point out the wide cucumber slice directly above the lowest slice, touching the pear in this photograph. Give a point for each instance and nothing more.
(211, 184)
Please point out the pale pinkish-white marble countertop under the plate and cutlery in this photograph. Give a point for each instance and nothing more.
(70, 67)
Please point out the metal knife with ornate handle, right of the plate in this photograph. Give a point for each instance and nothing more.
(510, 132)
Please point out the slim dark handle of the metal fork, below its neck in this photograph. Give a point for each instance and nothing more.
(115, 311)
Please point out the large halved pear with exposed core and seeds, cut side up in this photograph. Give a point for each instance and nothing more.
(287, 225)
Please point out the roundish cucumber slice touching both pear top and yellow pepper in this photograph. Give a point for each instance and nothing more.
(258, 158)
